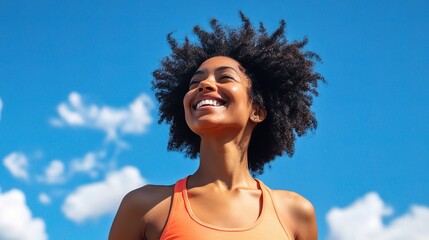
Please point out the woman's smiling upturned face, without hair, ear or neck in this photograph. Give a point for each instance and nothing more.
(218, 97)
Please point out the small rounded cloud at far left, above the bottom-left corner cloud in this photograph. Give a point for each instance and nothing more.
(17, 164)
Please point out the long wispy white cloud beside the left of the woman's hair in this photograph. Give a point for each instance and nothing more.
(133, 119)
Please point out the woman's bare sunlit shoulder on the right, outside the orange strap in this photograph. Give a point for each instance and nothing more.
(297, 213)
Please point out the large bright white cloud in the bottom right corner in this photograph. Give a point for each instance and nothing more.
(363, 220)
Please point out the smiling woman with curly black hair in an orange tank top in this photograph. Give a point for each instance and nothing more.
(246, 95)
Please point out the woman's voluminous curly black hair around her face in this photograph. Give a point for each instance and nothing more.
(282, 81)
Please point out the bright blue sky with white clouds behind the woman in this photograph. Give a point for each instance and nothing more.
(78, 118)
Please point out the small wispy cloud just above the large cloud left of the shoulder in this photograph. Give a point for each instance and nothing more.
(89, 164)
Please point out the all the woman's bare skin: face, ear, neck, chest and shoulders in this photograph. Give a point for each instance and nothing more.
(222, 180)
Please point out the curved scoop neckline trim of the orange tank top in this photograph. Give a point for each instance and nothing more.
(246, 228)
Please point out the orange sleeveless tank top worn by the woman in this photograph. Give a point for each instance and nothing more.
(182, 224)
